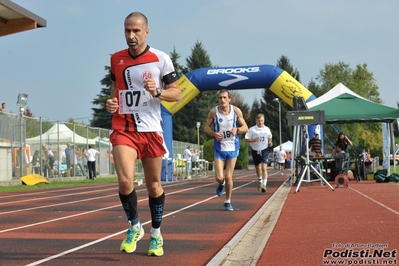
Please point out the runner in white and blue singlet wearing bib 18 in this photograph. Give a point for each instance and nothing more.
(228, 122)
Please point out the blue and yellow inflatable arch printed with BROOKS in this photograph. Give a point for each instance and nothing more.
(232, 78)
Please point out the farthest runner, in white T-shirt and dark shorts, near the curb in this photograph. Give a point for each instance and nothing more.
(259, 138)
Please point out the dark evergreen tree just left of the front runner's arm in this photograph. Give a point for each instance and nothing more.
(101, 117)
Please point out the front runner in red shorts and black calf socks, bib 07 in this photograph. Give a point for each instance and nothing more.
(148, 75)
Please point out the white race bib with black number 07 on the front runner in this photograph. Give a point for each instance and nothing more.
(137, 101)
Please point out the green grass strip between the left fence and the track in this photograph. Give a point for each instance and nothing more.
(58, 183)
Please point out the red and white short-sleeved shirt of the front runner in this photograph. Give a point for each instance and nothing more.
(138, 109)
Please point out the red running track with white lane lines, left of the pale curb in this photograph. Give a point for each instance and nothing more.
(85, 225)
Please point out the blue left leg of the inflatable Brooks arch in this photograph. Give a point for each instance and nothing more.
(168, 138)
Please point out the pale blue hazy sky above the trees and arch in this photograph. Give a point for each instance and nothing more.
(61, 65)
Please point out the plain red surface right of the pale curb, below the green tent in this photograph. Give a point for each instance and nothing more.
(317, 219)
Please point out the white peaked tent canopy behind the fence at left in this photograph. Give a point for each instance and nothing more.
(62, 134)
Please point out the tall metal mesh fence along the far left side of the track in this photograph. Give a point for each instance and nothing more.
(21, 137)
